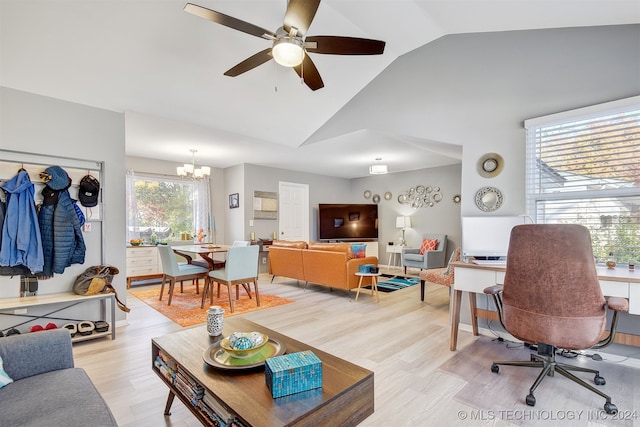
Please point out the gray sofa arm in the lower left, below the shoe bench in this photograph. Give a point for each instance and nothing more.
(36, 353)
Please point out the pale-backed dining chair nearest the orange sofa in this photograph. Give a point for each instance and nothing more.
(241, 268)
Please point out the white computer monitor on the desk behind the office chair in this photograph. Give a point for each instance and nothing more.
(487, 237)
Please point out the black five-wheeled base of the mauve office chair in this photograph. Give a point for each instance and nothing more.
(547, 362)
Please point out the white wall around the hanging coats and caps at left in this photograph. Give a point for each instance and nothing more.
(46, 126)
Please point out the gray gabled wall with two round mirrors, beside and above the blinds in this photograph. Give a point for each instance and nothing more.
(476, 90)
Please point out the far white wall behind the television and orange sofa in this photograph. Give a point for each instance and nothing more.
(442, 218)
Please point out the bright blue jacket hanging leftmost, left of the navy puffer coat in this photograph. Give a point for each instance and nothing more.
(21, 241)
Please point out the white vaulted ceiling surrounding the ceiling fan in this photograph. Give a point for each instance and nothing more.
(164, 69)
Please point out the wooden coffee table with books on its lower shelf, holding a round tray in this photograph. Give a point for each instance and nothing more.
(345, 399)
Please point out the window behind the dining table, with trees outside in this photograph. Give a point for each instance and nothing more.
(167, 207)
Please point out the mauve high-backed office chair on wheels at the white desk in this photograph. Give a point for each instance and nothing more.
(551, 299)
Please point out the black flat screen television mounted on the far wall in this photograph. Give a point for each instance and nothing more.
(349, 222)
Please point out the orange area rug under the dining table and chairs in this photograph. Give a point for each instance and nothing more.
(185, 307)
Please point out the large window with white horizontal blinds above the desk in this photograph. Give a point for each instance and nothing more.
(583, 167)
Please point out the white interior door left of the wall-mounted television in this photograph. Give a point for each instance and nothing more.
(293, 206)
